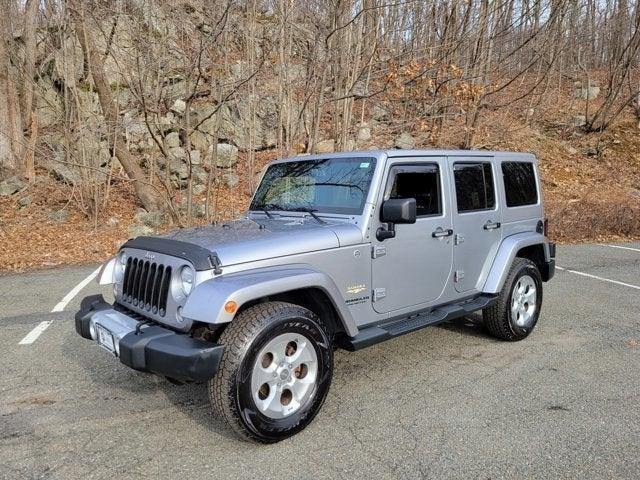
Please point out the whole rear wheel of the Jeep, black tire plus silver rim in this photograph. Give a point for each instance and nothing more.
(515, 313)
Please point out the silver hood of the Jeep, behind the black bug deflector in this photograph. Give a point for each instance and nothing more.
(247, 240)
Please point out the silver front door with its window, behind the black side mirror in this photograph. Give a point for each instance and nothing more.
(413, 267)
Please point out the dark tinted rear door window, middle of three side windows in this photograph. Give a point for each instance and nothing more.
(474, 186)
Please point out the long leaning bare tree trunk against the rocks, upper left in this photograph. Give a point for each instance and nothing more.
(117, 142)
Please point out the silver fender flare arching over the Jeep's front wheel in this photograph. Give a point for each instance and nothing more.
(206, 302)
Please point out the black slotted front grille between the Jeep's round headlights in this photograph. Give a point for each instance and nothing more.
(146, 285)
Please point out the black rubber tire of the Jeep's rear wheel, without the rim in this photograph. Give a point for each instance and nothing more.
(497, 318)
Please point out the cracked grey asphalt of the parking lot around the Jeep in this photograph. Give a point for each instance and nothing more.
(445, 402)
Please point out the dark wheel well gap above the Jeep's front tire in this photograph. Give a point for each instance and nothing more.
(314, 299)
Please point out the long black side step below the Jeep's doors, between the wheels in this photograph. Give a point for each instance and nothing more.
(399, 326)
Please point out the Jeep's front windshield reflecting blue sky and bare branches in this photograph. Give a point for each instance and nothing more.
(332, 185)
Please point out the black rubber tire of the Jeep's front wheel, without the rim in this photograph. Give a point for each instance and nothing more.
(230, 388)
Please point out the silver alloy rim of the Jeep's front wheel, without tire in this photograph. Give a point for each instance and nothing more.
(284, 375)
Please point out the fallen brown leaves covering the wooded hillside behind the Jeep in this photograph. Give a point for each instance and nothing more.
(589, 197)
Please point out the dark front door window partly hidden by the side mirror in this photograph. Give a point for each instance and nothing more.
(421, 182)
